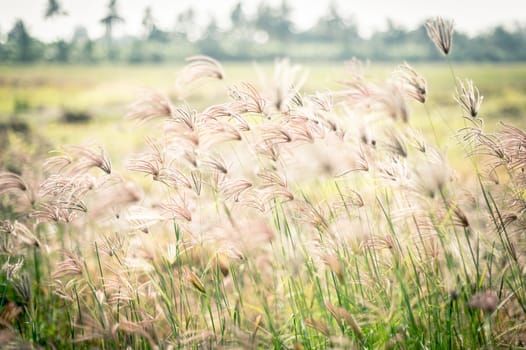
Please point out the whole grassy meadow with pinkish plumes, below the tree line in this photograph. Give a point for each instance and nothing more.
(207, 205)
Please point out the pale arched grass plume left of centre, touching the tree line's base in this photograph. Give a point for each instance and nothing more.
(199, 67)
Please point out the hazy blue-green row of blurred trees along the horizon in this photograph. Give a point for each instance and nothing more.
(268, 33)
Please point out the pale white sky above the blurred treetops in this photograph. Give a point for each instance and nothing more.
(470, 16)
